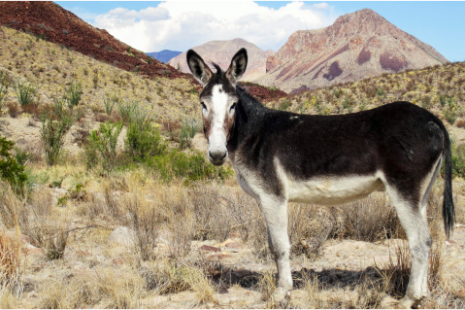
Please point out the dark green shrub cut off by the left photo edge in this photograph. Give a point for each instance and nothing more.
(10, 170)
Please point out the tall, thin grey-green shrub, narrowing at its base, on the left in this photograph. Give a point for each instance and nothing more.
(55, 125)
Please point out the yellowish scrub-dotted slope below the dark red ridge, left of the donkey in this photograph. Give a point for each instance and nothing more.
(52, 68)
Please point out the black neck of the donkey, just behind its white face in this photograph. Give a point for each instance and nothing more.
(248, 121)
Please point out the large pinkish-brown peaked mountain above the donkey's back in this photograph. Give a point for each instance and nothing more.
(357, 45)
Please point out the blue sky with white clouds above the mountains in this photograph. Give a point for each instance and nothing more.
(151, 25)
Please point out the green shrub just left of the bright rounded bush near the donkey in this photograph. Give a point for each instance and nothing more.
(102, 145)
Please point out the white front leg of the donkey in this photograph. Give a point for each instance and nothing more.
(275, 211)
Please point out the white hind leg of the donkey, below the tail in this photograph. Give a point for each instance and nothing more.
(413, 220)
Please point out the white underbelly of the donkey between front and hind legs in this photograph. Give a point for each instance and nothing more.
(333, 190)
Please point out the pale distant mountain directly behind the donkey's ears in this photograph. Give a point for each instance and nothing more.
(221, 52)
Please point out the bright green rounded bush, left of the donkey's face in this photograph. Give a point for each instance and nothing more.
(143, 138)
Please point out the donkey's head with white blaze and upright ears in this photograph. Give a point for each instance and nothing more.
(218, 99)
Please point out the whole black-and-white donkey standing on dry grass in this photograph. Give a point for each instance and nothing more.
(282, 157)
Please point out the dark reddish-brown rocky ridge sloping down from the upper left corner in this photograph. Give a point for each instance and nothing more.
(47, 20)
